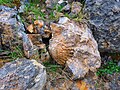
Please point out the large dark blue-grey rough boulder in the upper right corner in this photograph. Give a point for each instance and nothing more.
(104, 17)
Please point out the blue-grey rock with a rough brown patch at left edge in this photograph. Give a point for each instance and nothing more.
(9, 28)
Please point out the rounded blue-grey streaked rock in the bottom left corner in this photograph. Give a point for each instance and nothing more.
(22, 74)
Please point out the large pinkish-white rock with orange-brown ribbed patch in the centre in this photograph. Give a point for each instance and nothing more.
(73, 44)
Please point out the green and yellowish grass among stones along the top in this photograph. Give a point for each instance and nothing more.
(35, 7)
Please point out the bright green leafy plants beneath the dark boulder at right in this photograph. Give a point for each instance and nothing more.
(110, 68)
